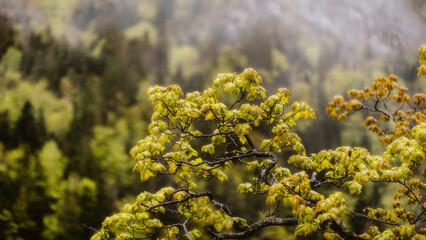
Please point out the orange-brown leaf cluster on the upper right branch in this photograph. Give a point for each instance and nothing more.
(390, 101)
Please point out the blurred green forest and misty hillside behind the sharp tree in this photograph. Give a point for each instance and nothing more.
(74, 75)
